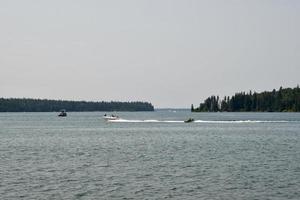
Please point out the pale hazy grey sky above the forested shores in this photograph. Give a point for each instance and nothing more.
(172, 53)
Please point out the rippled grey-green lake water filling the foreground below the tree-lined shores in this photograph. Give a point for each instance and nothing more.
(150, 155)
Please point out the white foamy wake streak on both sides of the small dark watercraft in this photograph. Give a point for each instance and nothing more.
(196, 121)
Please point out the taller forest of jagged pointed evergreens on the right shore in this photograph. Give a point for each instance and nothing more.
(282, 100)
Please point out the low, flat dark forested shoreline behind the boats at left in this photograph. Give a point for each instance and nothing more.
(45, 105)
